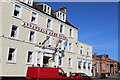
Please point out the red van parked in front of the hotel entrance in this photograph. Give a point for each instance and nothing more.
(45, 73)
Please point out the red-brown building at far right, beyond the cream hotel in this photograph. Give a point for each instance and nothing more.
(103, 64)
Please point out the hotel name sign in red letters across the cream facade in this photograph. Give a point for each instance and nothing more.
(25, 24)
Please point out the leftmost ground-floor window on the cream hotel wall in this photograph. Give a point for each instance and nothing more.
(11, 55)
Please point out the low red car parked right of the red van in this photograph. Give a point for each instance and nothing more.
(79, 76)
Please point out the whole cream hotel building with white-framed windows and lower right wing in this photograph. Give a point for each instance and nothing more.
(32, 34)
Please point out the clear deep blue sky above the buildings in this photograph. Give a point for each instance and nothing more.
(98, 23)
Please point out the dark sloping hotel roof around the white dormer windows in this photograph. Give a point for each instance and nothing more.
(38, 6)
